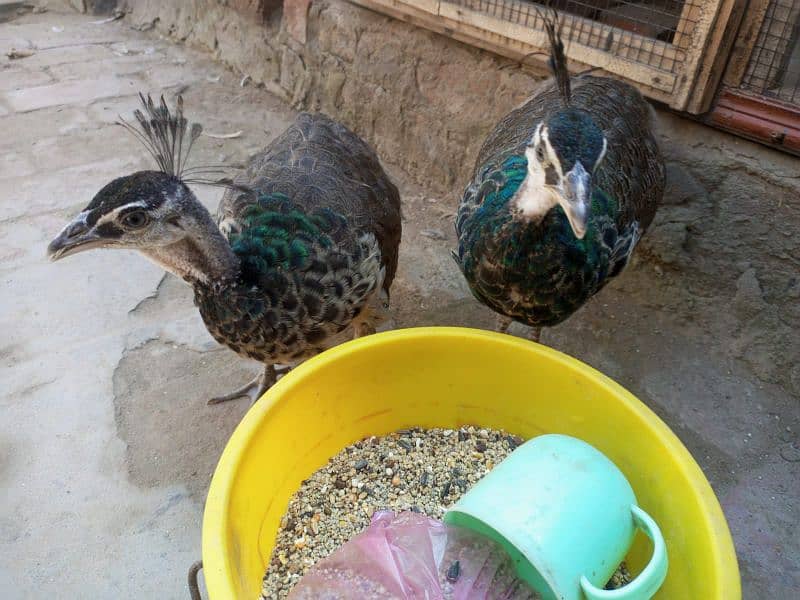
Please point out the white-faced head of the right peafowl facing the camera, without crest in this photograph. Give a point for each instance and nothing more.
(563, 154)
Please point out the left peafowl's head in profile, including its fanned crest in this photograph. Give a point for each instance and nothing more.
(154, 212)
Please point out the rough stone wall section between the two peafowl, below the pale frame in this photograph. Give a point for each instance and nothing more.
(425, 101)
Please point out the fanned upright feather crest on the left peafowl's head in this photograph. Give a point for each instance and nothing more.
(164, 134)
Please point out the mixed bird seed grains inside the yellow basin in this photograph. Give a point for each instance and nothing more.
(422, 470)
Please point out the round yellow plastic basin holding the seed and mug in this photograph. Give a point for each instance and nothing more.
(447, 377)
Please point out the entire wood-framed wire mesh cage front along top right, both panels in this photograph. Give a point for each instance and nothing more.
(734, 64)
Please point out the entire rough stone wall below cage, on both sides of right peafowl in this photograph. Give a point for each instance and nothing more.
(726, 243)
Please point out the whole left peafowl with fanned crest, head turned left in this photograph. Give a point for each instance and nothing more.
(303, 252)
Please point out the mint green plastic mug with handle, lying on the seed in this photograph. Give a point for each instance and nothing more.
(567, 516)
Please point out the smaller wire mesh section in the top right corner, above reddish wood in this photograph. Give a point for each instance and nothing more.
(774, 67)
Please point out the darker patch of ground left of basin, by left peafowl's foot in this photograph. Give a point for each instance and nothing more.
(172, 436)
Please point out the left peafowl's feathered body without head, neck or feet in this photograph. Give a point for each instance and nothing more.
(315, 224)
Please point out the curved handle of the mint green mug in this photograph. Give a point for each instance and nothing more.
(646, 584)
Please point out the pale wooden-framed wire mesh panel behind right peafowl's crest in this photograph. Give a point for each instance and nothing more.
(673, 51)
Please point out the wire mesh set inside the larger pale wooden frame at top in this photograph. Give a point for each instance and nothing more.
(628, 29)
